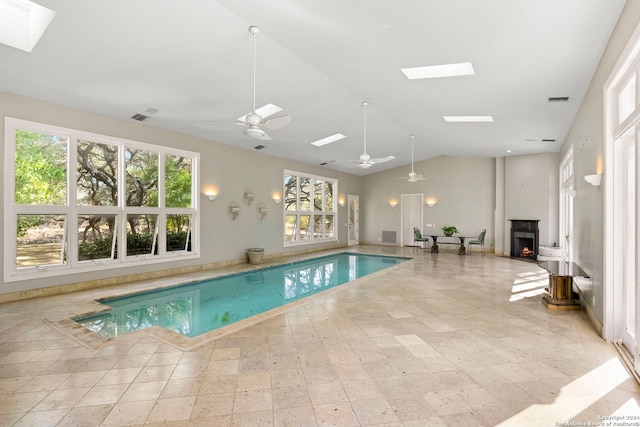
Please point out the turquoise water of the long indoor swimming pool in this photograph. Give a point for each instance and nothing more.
(201, 307)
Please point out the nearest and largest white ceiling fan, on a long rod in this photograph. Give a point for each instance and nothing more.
(262, 116)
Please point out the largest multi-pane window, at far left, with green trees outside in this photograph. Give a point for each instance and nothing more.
(78, 201)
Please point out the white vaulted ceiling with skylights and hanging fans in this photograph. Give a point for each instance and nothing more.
(192, 61)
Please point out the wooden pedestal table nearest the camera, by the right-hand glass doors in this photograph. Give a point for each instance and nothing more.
(560, 294)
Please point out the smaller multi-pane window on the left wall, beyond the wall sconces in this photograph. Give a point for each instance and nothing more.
(309, 208)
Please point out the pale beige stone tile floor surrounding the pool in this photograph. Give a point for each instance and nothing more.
(442, 340)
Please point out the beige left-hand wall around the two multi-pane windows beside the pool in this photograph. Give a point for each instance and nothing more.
(230, 169)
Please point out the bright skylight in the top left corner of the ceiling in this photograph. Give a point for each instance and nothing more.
(22, 23)
